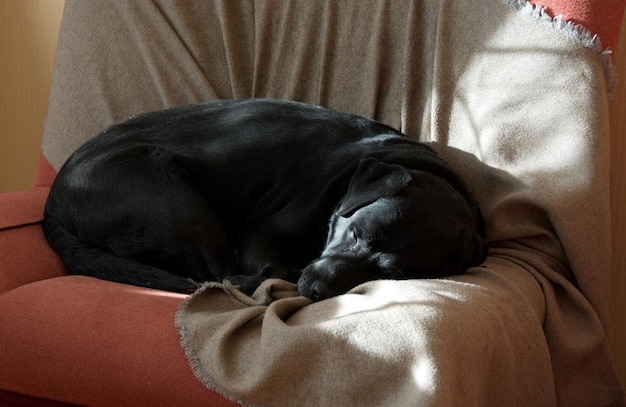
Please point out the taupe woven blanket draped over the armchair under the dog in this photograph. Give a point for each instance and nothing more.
(515, 101)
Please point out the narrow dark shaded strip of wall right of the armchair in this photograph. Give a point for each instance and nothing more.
(618, 205)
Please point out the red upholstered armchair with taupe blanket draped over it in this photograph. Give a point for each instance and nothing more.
(514, 99)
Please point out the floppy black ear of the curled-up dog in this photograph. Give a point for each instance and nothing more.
(372, 180)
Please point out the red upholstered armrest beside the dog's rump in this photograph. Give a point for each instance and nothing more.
(25, 255)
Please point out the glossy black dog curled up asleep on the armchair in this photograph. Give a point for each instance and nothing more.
(245, 190)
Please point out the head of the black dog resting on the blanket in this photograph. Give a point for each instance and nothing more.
(395, 223)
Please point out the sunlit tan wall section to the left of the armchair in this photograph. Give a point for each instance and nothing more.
(28, 36)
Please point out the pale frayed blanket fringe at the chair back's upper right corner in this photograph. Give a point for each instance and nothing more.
(577, 32)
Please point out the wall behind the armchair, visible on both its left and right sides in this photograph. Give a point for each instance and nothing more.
(28, 34)
